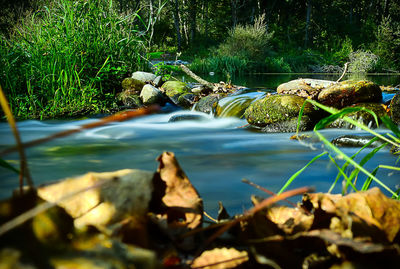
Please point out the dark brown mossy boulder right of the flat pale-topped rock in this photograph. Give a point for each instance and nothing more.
(350, 92)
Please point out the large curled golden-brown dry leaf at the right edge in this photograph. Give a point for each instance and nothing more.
(368, 213)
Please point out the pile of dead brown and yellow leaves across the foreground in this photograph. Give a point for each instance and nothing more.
(133, 218)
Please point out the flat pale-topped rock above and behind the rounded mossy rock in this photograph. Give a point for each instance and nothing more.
(307, 88)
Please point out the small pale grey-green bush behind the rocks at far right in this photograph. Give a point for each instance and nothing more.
(362, 61)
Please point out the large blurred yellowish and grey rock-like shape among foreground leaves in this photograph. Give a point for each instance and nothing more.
(121, 193)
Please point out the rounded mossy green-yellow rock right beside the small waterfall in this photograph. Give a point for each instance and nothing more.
(276, 108)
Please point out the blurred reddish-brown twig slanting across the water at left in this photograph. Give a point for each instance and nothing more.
(126, 115)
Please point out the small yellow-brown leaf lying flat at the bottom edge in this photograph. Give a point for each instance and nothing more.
(220, 258)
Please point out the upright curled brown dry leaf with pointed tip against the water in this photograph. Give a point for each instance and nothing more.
(185, 207)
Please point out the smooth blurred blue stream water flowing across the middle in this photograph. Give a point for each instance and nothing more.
(215, 153)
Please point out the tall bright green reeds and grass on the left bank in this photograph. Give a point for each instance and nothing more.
(69, 58)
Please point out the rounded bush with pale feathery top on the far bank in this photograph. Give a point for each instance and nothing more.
(249, 42)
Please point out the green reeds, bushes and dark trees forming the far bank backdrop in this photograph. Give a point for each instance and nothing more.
(63, 58)
